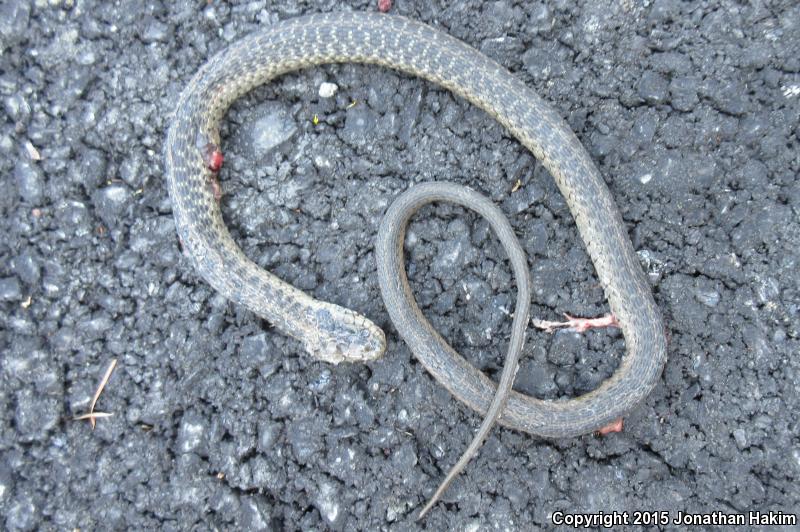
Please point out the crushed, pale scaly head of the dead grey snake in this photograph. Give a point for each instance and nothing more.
(341, 335)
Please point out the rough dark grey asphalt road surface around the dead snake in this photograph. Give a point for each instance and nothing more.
(691, 112)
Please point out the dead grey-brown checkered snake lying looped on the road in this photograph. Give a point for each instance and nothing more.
(333, 333)
